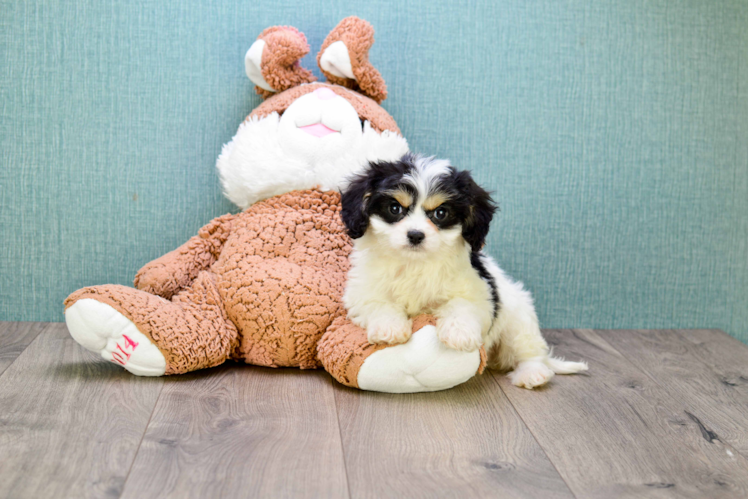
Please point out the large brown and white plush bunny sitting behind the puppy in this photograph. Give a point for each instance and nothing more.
(265, 286)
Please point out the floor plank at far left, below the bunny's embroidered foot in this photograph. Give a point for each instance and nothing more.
(70, 424)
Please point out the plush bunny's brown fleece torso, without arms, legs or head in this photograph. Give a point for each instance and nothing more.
(283, 270)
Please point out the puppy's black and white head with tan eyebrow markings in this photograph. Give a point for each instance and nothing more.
(417, 205)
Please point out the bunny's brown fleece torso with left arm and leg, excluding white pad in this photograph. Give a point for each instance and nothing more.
(267, 284)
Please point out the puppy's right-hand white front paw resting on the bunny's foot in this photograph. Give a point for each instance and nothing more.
(460, 324)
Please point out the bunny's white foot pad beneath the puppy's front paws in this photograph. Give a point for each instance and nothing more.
(423, 364)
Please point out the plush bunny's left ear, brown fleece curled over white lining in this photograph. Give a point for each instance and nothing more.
(272, 62)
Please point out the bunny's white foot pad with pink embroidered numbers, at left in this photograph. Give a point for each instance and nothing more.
(101, 328)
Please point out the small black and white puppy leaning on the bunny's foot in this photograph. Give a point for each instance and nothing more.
(418, 226)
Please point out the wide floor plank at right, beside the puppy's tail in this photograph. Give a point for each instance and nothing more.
(616, 433)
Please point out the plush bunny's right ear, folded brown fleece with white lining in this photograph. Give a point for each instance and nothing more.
(344, 58)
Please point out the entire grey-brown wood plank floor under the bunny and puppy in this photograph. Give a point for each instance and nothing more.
(661, 414)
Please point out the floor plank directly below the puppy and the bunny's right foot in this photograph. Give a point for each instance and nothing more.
(467, 442)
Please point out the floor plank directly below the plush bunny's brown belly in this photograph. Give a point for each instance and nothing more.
(239, 431)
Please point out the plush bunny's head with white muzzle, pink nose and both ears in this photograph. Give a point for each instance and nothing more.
(309, 134)
